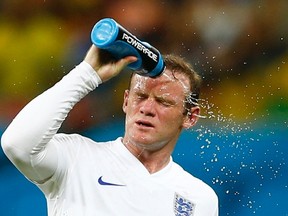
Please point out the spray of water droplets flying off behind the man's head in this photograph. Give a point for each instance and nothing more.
(241, 159)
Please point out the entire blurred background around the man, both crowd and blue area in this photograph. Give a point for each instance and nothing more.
(239, 146)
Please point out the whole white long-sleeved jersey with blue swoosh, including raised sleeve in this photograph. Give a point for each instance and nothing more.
(82, 177)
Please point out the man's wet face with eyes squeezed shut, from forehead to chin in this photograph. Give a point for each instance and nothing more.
(154, 110)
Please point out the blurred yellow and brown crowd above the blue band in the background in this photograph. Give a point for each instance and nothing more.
(238, 47)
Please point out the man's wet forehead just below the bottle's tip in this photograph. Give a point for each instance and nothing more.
(167, 81)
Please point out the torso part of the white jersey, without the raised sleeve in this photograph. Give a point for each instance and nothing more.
(106, 179)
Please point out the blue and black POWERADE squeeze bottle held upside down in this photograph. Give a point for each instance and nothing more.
(107, 34)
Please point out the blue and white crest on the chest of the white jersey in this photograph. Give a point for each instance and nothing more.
(182, 206)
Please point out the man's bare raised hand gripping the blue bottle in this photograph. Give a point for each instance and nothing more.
(109, 69)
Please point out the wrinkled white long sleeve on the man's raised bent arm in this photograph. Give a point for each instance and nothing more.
(26, 141)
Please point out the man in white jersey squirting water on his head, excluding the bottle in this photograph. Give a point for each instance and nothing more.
(133, 175)
